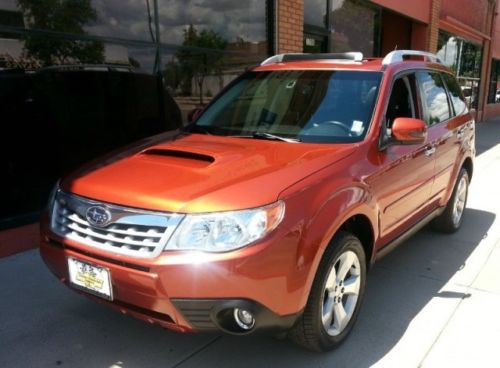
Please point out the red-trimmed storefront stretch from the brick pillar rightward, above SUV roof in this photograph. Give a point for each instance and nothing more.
(465, 34)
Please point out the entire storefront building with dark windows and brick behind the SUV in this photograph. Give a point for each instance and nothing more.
(108, 71)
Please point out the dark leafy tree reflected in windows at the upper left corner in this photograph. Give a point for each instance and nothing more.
(66, 16)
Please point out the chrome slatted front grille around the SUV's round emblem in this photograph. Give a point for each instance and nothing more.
(130, 231)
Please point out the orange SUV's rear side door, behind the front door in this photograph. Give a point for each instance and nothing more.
(449, 132)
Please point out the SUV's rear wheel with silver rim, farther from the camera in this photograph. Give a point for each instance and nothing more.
(452, 217)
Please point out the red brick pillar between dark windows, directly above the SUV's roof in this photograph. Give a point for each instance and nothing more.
(290, 25)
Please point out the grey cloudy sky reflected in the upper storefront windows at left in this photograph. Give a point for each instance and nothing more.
(129, 19)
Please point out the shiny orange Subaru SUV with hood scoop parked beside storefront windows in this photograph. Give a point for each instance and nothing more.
(265, 213)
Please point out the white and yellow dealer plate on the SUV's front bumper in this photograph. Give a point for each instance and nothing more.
(90, 278)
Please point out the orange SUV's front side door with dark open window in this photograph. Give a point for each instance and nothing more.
(405, 175)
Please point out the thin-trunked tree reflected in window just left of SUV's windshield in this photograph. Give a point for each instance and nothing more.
(196, 63)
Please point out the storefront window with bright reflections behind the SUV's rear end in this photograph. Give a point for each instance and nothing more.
(464, 58)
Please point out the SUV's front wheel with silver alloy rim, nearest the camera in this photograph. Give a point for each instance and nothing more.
(327, 291)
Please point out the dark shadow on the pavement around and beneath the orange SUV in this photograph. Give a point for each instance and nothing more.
(62, 328)
